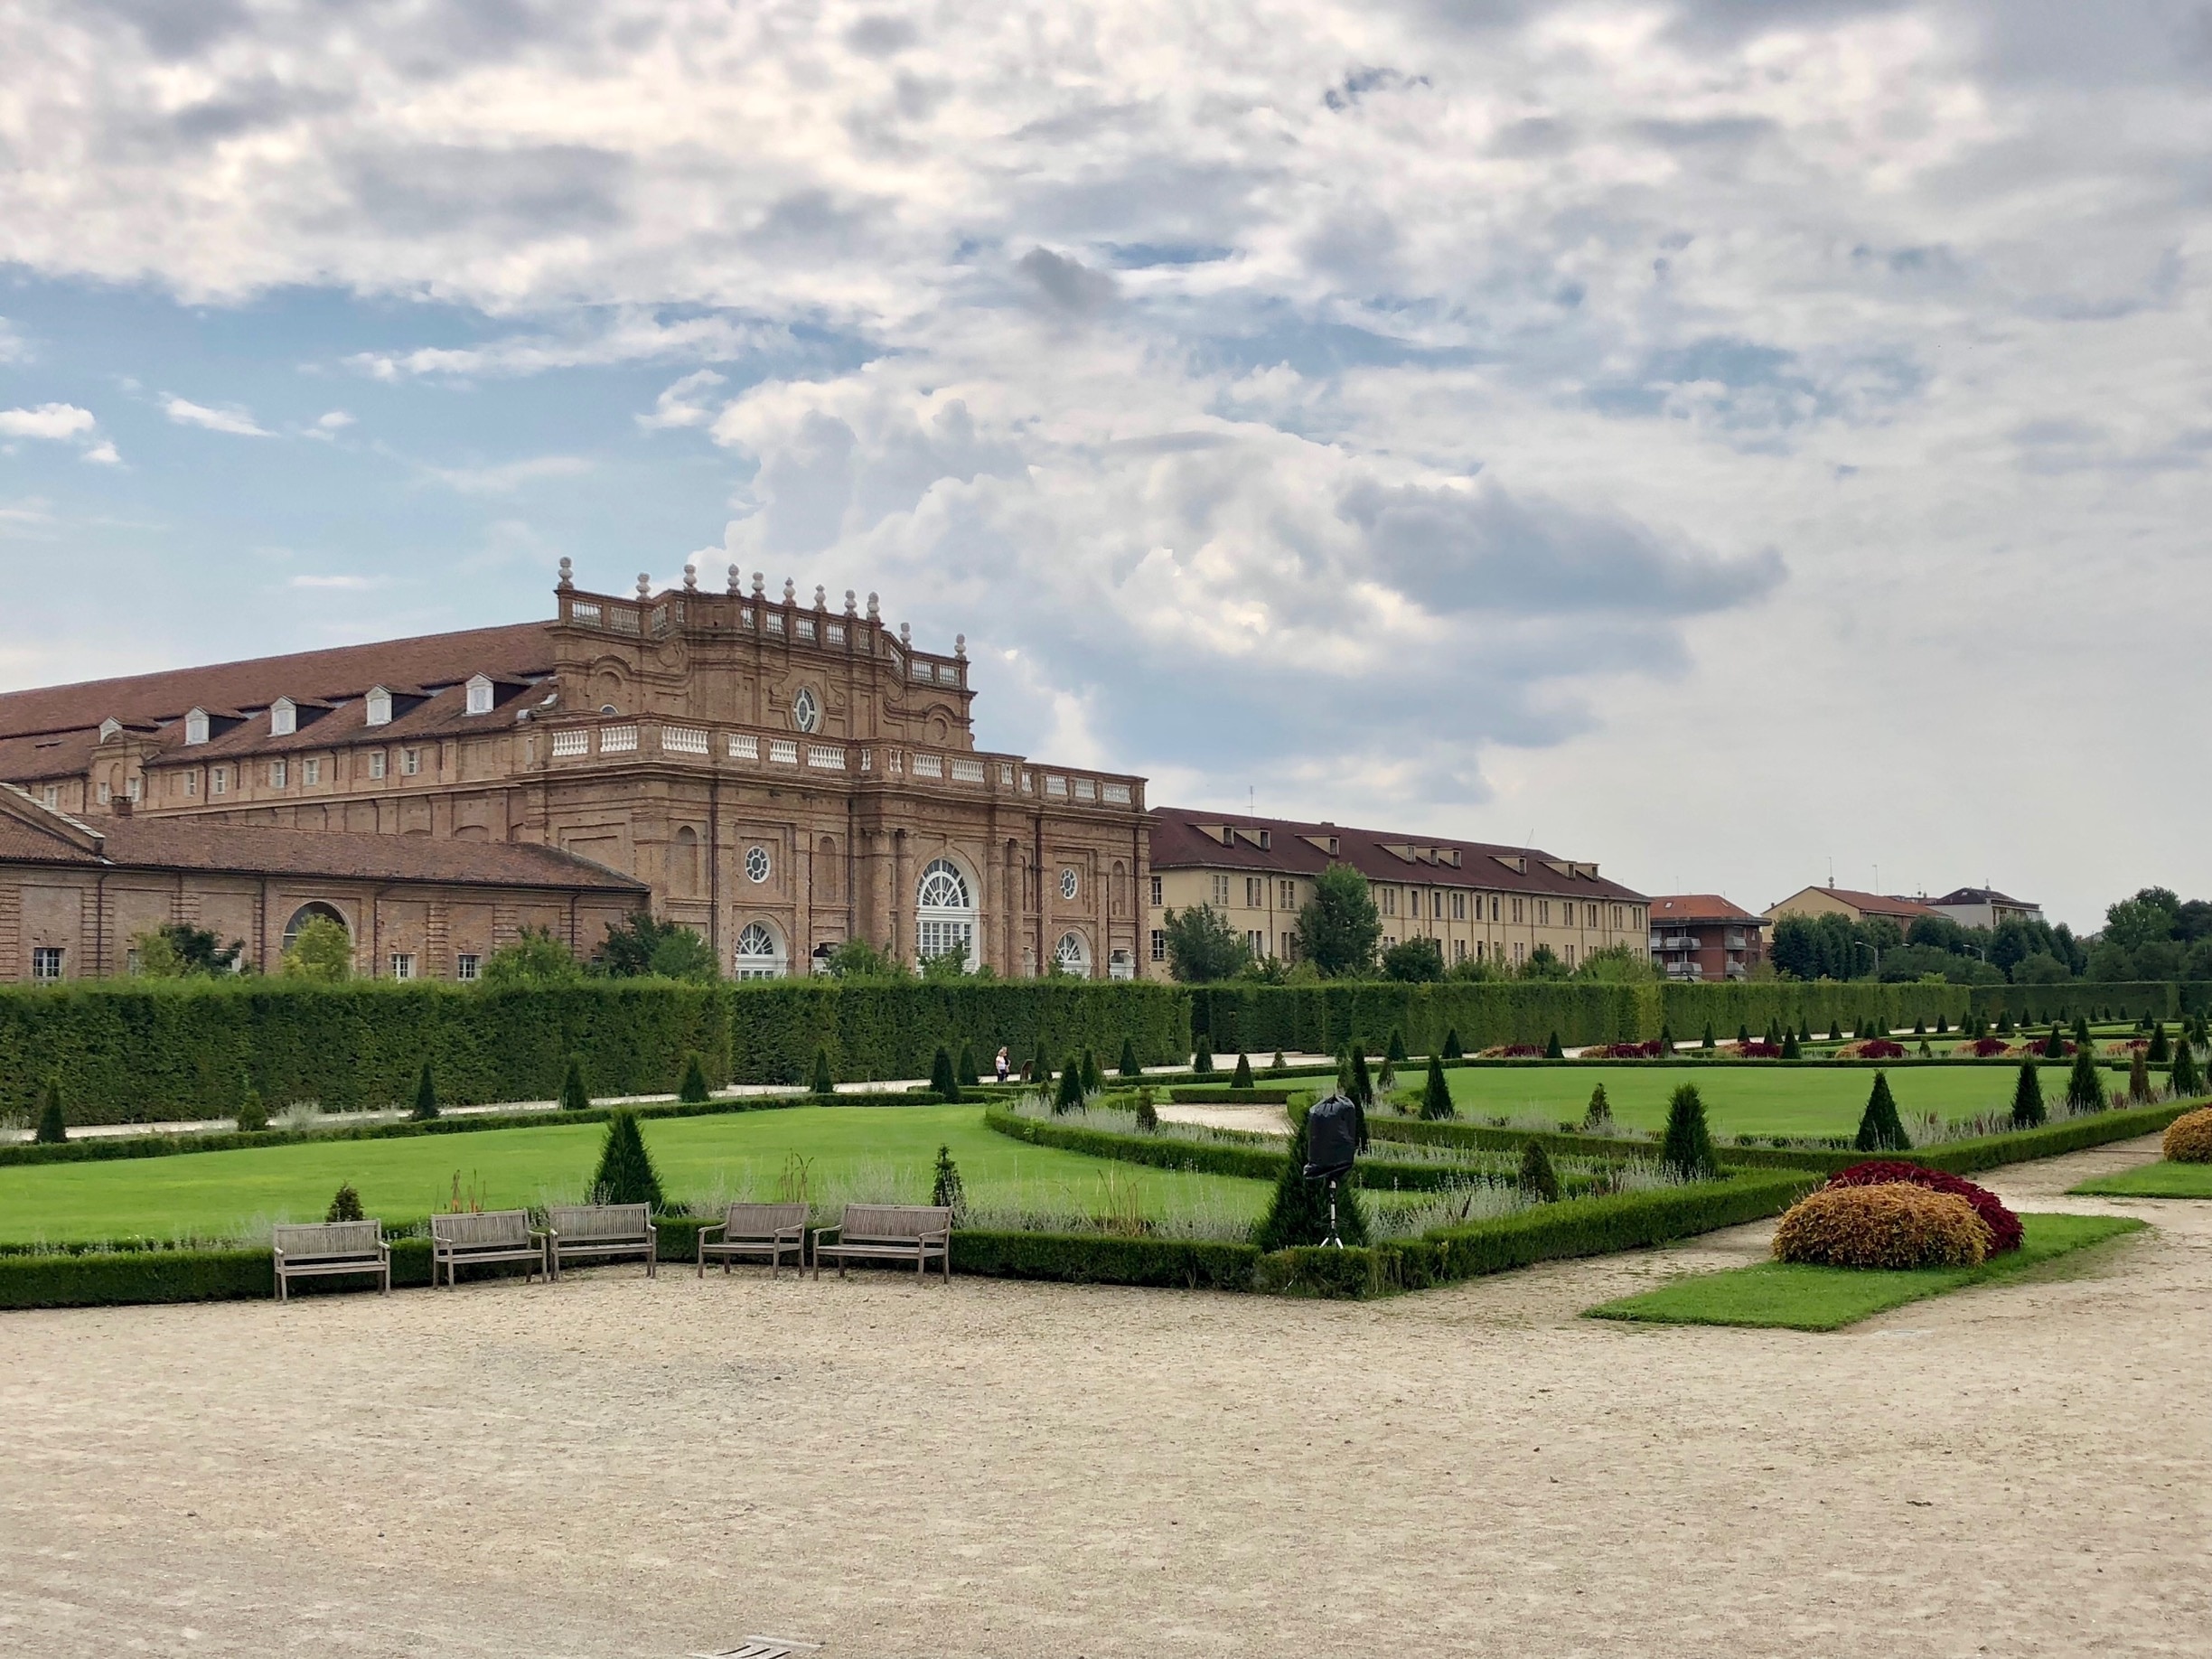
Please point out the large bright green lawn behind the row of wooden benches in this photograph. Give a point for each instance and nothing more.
(881, 1154)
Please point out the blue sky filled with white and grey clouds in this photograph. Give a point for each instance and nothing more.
(1722, 439)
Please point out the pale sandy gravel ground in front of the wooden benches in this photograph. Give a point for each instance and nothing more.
(643, 1470)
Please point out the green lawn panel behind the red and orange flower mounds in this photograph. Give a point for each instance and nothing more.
(1740, 1098)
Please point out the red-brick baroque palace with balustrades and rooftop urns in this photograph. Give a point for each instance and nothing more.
(773, 773)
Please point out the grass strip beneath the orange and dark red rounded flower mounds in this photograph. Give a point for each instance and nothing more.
(1826, 1300)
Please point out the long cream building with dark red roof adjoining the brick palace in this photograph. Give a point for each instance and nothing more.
(1477, 901)
